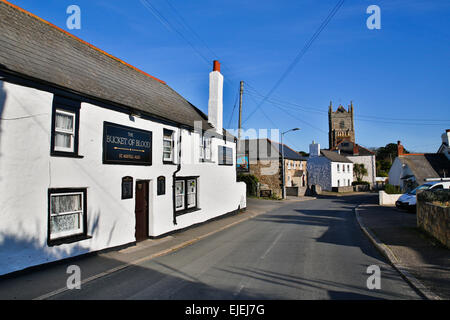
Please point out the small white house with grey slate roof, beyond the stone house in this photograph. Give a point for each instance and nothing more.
(329, 170)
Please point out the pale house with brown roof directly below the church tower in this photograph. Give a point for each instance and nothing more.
(358, 154)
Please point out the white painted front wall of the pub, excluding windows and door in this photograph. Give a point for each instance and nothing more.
(27, 172)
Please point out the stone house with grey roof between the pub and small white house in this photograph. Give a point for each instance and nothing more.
(264, 159)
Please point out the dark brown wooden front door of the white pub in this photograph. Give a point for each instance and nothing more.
(141, 210)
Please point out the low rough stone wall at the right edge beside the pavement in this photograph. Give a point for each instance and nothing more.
(435, 220)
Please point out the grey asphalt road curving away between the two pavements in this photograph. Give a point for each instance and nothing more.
(305, 250)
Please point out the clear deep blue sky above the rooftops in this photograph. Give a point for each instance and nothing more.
(397, 77)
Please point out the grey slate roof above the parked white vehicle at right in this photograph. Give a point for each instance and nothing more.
(428, 165)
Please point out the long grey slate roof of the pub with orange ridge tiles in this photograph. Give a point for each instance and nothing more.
(33, 47)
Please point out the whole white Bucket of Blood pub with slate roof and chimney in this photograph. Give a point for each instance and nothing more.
(95, 153)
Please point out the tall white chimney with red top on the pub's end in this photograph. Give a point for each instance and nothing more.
(215, 102)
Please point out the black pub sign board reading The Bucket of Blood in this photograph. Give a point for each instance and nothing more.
(126, 145)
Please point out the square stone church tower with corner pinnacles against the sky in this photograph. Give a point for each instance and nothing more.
(340, 124)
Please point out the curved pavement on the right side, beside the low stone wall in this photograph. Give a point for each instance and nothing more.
(421, 260)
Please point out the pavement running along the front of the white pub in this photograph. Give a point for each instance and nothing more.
(46, 281)
